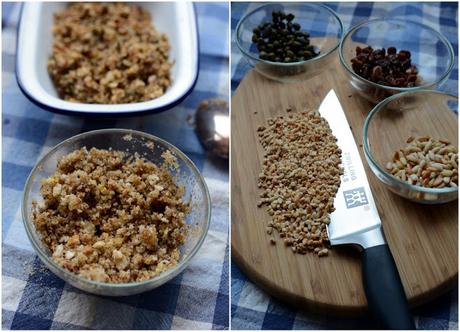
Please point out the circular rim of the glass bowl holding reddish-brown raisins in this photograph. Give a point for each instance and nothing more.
(446, 42)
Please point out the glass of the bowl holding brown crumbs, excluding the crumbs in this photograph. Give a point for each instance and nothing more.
(187, 175)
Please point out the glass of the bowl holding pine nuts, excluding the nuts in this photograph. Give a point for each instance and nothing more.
(394, 120)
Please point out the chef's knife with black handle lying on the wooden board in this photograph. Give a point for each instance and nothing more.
(356, 221)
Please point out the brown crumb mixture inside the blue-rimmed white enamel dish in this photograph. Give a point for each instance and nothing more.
(108, 53)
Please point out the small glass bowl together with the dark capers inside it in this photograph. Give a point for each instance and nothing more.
(289, 42)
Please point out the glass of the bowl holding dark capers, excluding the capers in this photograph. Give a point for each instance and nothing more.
(323, 25)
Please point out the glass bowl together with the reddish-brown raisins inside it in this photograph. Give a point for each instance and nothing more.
(383, 57)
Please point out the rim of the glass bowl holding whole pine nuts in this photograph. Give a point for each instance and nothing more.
(373, 163)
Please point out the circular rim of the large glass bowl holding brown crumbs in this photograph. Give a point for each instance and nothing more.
(159, 279)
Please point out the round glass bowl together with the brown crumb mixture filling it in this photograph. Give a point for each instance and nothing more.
(129, 258)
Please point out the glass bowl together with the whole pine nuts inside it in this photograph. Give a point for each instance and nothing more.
(411, 144)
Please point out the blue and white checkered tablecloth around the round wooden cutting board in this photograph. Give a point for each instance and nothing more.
(251, 308)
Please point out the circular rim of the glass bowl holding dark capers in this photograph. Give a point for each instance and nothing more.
(290, 64)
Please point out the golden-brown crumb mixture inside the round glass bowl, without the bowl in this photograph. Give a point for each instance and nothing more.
(111, 217)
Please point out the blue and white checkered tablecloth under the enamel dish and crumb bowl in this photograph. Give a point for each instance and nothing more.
(33, 297)
